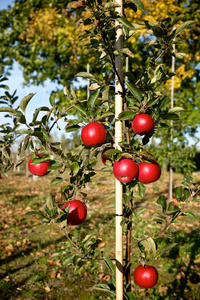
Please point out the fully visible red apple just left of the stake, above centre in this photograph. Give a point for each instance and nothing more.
(93, 134)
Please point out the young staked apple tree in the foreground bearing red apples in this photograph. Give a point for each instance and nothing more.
(144, 113)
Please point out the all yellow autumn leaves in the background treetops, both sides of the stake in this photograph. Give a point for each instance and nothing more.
(47, 26)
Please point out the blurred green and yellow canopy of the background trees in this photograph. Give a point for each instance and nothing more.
(44, 38)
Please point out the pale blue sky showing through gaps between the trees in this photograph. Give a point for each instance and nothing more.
(15, 82)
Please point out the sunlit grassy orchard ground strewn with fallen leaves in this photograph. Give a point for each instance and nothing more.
(32, 266)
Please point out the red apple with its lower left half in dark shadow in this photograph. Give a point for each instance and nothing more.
(77, 212)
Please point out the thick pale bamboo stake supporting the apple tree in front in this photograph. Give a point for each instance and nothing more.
(118, 138)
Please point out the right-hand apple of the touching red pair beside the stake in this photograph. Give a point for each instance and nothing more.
(148, 172)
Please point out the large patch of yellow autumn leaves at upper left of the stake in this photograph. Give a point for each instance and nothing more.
(48, 25)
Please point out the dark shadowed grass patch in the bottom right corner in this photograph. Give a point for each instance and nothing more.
(187, 272)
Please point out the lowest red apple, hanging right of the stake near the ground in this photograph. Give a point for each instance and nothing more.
(146, 276)
